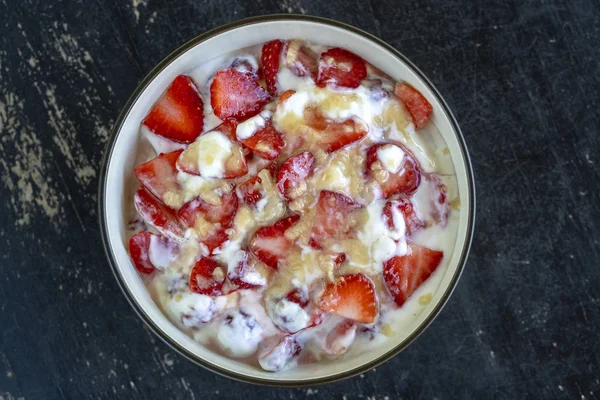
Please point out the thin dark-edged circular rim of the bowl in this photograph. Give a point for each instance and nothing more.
(109, 147)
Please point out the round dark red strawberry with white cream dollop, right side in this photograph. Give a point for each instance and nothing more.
(393, 168)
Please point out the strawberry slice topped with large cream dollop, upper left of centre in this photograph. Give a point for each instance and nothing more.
(213, 155)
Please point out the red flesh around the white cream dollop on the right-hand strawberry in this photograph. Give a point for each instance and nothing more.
(405, 181)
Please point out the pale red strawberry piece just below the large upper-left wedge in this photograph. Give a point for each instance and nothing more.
(159, 175)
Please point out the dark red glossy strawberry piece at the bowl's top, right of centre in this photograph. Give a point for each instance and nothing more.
(341, 68)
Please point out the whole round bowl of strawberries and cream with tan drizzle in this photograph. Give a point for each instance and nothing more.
(284, 209)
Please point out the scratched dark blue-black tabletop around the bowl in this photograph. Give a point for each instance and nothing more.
(523, 78)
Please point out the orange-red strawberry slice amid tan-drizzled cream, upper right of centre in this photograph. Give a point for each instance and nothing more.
(335, 134)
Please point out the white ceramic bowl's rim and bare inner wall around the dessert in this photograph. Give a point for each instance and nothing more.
(118, 165)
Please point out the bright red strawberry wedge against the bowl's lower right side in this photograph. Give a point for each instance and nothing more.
(404, 274)
